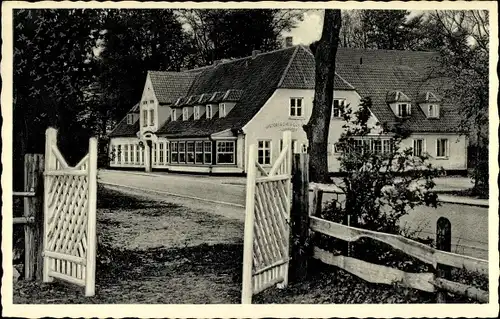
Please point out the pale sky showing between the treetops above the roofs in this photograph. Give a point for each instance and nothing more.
(309, 30)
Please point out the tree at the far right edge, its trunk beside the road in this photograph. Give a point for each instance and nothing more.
(462, 38)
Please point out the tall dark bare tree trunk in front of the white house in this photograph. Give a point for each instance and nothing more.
(317, 128)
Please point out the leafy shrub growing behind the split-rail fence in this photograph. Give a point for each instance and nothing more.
(381, 184)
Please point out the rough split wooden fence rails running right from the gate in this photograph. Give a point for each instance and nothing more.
(385, 275)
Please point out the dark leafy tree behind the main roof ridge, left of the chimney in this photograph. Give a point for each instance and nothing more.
(221, 34)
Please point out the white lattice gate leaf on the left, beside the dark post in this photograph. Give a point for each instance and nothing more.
(70, 196)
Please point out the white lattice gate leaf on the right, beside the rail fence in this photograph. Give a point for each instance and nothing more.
(267, 216)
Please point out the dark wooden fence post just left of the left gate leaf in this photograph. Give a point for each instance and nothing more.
(33, 208)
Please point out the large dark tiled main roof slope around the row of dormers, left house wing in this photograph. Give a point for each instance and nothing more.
(257, 78)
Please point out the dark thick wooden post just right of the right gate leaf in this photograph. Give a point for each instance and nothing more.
(299, 217)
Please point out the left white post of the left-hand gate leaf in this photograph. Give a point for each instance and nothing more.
(50, 164)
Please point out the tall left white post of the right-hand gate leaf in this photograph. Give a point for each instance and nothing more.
(247, 289)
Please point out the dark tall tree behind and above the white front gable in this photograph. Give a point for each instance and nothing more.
(131, 42)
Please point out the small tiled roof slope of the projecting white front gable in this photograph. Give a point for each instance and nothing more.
(169, 86)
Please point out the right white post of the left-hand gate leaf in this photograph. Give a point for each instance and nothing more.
(91, 224)
